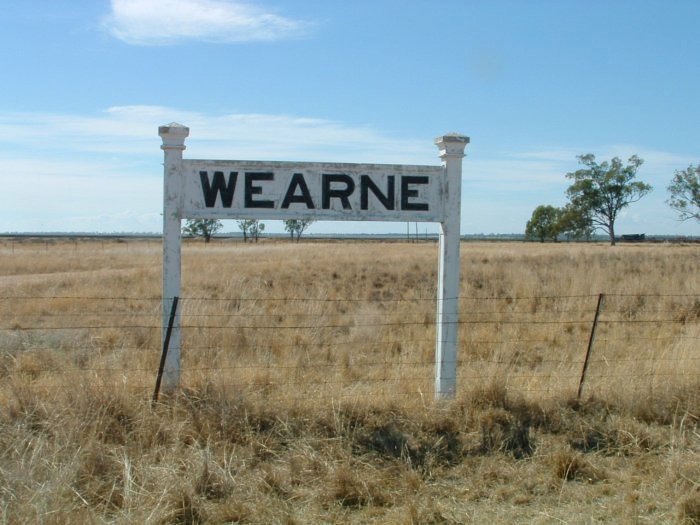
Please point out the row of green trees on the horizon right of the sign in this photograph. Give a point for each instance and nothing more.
(600, 191)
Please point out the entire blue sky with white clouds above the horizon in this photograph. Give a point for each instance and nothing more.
(534, 84)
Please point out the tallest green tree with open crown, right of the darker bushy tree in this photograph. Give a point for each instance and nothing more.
(605, 189)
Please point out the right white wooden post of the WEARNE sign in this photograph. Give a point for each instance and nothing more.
(451, 152)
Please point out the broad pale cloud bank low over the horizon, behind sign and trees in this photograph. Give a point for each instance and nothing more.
(104, 169)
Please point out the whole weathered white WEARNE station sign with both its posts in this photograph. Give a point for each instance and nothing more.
(236, 189)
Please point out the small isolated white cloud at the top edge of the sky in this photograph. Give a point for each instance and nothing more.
(164, 22)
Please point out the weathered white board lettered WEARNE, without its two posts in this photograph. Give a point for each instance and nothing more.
(309, 201)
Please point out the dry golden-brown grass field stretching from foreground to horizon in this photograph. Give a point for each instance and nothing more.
(308, 385)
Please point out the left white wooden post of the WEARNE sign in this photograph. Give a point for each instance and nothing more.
(173, 136)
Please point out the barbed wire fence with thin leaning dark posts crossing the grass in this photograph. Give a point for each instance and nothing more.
(306, 348)
